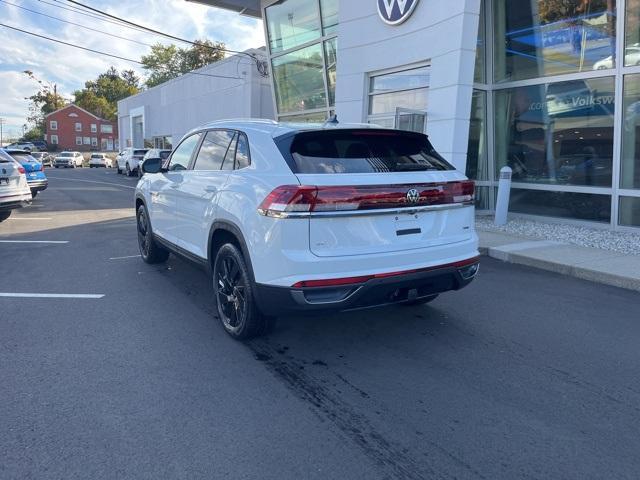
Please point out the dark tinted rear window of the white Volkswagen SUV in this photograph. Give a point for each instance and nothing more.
(360, 151)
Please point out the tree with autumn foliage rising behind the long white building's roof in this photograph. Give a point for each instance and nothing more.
(168, 61)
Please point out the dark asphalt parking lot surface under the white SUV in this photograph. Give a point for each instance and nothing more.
(524, 374)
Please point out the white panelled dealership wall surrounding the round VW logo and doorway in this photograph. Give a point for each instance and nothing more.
(443, 32)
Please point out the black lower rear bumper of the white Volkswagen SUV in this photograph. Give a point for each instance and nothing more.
(400, 288)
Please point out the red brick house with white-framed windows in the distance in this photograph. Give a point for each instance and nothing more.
(73, 128)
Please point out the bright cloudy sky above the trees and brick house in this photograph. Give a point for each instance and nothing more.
(69, 67)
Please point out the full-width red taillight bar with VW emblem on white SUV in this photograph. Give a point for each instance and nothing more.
(303, 198)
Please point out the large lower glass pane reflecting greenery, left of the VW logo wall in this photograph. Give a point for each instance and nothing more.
(298, 79)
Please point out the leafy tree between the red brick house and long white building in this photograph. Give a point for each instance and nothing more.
(101, 96)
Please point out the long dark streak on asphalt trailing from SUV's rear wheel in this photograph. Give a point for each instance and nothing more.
(329, 405)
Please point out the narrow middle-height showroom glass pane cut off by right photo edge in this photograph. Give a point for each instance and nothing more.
(630, 163)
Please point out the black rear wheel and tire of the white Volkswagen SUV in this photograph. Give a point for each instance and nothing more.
(235, 301)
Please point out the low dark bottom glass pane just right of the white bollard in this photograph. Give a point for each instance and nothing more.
(578, 206)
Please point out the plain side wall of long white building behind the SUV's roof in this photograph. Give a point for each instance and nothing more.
(177, 106)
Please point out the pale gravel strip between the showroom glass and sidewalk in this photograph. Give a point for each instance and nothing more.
(586, 237)
